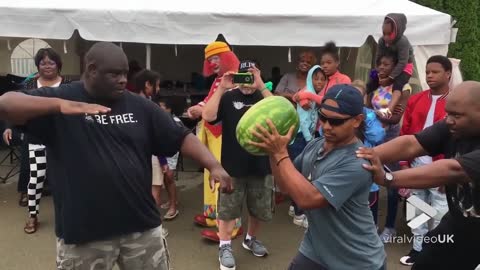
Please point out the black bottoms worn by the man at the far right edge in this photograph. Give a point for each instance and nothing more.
(461, 254)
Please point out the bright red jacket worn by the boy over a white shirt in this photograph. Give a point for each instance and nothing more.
(416, 114)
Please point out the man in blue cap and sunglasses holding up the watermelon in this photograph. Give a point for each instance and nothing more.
(327, 180)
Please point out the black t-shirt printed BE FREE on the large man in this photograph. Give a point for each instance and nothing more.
(100, 165)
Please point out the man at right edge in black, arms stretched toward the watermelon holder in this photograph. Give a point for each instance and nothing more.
(453, 243)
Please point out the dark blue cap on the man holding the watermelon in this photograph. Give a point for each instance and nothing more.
(348, 98)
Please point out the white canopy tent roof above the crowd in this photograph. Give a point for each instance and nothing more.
(246, 22)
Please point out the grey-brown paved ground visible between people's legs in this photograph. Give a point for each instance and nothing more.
(20, 251)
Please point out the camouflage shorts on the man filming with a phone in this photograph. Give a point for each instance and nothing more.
(258, 192)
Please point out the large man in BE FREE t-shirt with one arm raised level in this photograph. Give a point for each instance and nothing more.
(100, 160)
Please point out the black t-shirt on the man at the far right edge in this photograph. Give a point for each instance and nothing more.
(463, 199)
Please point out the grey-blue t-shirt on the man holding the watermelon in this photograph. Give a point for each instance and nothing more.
(343, 234)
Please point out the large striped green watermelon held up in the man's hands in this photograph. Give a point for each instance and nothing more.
(276, 108)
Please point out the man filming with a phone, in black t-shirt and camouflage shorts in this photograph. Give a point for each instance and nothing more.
(251, 173)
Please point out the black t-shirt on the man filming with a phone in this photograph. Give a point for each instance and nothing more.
(236, 161)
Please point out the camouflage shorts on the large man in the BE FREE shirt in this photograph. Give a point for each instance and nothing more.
(146, 251)
